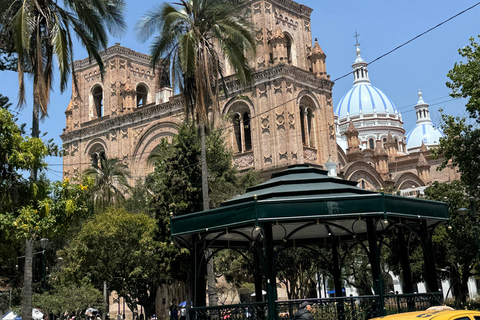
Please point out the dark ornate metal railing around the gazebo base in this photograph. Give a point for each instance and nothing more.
(342, 308)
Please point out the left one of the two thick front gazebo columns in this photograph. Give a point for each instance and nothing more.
(270, 272)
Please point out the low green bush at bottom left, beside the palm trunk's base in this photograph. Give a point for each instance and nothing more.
(69, 300)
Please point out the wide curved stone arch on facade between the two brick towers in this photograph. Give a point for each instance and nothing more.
(148, 142)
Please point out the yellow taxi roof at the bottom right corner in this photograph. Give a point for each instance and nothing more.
(435, 313)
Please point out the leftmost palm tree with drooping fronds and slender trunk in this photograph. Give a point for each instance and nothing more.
(37, 31)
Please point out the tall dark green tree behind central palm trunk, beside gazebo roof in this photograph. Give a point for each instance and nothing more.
(177, 179)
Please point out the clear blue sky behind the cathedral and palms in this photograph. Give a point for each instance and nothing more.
(382, 25)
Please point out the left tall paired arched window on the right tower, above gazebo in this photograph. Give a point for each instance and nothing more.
(240, 112)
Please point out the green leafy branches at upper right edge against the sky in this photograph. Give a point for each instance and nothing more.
(465, 78)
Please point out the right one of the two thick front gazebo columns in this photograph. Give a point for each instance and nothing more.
(374, 257)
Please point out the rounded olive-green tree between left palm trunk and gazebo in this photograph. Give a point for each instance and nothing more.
(119, 247)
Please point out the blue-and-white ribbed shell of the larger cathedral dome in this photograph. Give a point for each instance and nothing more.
(364, 98)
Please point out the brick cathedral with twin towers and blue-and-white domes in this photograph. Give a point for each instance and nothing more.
(286, 117)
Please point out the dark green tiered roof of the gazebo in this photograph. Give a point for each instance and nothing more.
(299, 195)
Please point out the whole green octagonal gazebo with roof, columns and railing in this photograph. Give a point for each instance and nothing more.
(304, 206)
